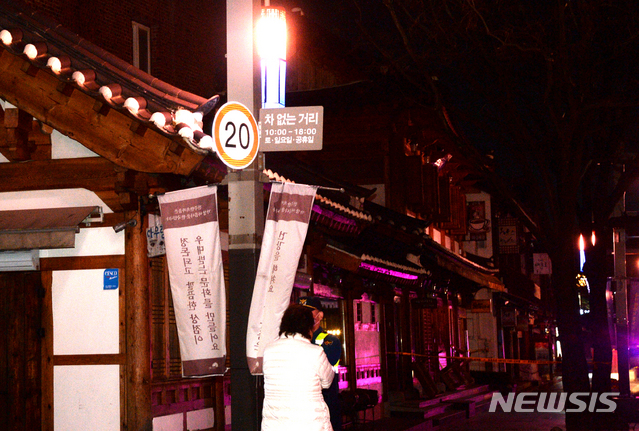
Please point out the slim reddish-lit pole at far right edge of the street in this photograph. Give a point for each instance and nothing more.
(621, 309)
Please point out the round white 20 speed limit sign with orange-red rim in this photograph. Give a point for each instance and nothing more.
(235, 134)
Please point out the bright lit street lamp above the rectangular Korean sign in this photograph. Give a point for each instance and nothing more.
(271, 47)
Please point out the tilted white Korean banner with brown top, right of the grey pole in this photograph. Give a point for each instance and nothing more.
(287, 219)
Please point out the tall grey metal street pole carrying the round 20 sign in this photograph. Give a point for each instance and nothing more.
(246, 214)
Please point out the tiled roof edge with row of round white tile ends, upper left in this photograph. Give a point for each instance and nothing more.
(82, 66)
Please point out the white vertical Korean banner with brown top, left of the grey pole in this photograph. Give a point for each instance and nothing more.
(194, 258)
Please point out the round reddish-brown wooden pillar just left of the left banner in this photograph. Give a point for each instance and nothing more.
(138, 416)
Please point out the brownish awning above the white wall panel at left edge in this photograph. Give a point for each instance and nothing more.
(43, 228)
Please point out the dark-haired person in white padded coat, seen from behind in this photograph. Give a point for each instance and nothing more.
(295, 371)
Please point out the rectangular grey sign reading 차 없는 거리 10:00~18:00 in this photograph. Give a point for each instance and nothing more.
(291, 129)
